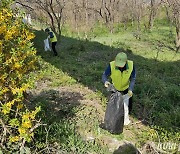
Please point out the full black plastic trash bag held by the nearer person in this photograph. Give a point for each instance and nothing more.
(114, 115)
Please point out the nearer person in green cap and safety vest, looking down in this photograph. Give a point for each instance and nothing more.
(123, 75)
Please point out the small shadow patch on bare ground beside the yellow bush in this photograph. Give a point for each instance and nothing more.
(57, 105)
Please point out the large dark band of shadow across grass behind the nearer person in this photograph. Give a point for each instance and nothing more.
(157, 89)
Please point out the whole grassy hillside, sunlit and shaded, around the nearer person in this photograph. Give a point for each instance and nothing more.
(73, 97)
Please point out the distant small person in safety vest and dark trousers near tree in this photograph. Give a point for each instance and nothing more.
(53, 39)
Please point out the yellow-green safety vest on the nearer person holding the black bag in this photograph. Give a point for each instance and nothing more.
(120, 79)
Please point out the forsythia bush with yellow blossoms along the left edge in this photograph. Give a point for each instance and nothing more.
(17, 59)
